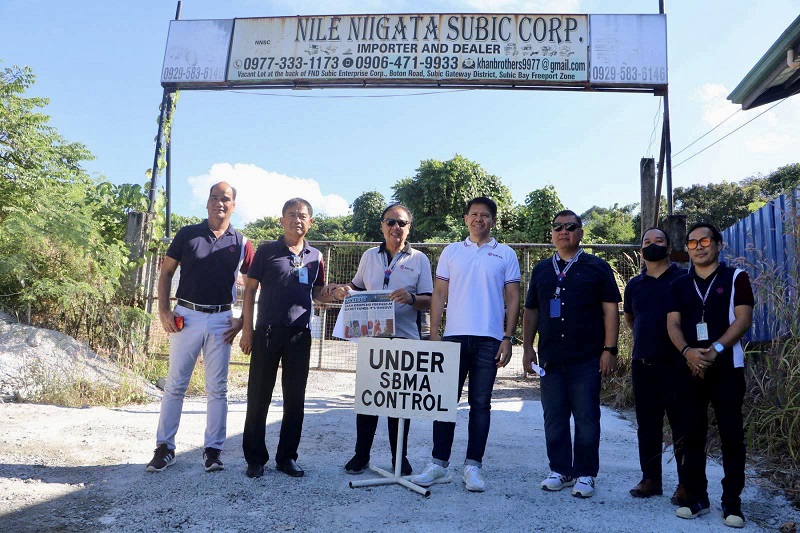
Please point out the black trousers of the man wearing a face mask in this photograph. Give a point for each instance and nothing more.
(656, 386)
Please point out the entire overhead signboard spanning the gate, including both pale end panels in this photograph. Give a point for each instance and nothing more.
(490, 50)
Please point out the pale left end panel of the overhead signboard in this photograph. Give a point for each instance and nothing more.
(197, 52)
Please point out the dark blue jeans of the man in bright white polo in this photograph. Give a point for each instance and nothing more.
(478, 361)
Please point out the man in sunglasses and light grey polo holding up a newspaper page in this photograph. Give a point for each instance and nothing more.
(395, 266)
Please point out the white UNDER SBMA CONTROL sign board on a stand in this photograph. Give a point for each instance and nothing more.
(407, 378)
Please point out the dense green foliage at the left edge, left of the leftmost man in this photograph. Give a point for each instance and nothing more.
(61, 232)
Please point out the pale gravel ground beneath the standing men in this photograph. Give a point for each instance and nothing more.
(83, 470)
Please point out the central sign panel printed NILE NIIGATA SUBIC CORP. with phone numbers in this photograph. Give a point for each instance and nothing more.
(411, 47)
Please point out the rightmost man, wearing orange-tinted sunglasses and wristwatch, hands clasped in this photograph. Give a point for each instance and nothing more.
(710, 310)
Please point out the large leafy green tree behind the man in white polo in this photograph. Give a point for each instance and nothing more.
(439, 192)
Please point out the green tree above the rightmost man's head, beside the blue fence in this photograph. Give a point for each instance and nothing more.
(722, 204)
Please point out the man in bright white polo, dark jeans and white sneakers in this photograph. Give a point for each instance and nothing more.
(472, 277)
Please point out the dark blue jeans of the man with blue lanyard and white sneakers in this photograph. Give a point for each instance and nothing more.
(572, 389)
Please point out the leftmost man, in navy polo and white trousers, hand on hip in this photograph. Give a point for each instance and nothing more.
(210, 254)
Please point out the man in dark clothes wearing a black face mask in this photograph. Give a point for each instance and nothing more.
(658, 370)
